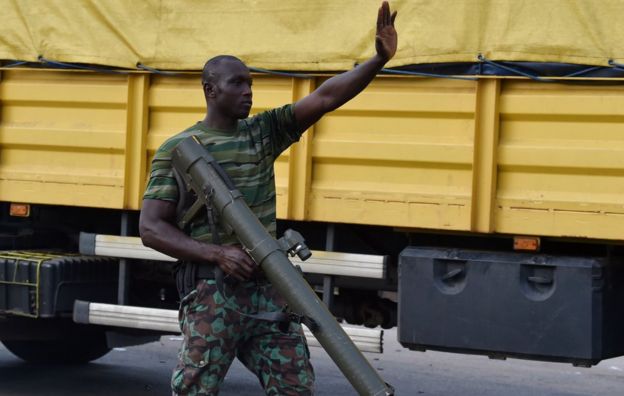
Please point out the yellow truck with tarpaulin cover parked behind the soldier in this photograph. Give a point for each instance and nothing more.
(473, 194)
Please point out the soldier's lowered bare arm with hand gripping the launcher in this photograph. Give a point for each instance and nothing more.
(158, 231)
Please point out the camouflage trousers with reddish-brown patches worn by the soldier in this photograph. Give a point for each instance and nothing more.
(215, 333)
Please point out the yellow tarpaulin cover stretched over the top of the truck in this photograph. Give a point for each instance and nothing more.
(313, 35)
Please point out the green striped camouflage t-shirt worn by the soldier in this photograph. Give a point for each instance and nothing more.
(246, 154)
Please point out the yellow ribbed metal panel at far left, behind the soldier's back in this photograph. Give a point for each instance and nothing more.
(56, 148)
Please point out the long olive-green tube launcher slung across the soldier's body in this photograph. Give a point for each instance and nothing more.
(204, 175)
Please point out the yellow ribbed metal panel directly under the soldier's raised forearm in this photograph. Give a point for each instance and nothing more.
(399, 154)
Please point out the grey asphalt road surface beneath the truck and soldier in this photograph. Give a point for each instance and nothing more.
(145, 370)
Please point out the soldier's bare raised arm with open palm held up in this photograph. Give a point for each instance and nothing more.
(339, 89)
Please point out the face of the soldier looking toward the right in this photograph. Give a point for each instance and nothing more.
(232, 90)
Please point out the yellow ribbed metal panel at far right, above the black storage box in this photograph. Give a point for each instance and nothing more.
(561, 160)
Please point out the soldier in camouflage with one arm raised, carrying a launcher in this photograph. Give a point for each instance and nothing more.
(217, 320)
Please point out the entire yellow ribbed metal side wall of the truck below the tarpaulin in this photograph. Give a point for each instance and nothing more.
(489, 156)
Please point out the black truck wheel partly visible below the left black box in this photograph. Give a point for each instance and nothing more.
(74, 350)
